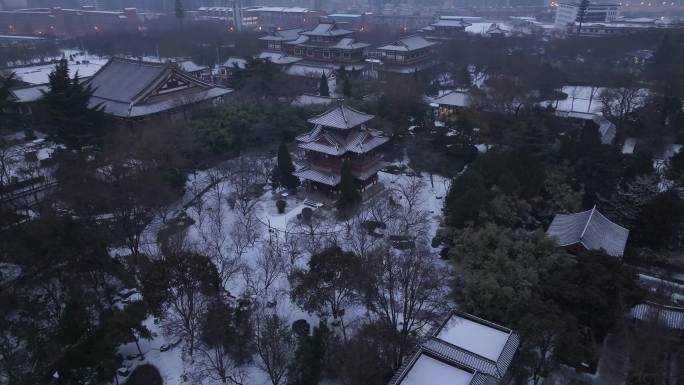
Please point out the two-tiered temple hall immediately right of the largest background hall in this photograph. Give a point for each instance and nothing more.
(406, 56)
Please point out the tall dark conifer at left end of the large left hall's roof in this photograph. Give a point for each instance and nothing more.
(72, 121)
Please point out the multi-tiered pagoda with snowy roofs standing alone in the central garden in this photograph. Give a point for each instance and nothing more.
(340, 134)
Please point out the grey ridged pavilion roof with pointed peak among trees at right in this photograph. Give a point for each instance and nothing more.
(590, 229)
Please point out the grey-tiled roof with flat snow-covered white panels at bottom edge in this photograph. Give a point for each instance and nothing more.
(464, 342)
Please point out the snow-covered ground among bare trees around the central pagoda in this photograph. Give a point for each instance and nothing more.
(214, 222)
